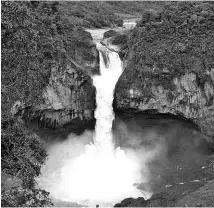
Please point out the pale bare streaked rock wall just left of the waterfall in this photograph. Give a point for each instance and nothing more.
(69, 95)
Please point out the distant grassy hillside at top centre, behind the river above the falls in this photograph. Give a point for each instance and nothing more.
(99, 14)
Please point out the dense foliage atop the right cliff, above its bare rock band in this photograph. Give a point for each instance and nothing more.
(179, 38)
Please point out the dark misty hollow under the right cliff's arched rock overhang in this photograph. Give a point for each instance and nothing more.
(181, 149)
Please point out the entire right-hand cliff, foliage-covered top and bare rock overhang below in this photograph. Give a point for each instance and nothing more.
(169, 65)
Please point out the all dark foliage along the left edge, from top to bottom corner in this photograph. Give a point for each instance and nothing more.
(31, 45)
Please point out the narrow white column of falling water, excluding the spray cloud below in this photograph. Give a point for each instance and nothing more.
(105, 84)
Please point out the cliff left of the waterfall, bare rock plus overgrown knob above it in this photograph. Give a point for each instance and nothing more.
(70, 93)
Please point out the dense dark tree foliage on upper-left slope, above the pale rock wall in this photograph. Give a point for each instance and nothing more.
(30, 46)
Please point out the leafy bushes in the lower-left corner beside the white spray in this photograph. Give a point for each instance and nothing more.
(23, 154)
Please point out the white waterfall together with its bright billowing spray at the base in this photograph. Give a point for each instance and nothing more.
(101, 174)
